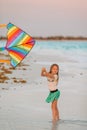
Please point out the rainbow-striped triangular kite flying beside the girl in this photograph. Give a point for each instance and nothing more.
(18, 45)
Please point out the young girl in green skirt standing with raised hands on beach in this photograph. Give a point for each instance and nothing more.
(52, 77)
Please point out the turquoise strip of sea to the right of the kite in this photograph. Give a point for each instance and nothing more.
(63, 45)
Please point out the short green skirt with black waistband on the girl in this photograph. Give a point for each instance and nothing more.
(53, 96)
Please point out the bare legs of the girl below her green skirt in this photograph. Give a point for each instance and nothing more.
(55, 111)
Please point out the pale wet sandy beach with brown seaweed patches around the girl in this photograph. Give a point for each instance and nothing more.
(23, 92)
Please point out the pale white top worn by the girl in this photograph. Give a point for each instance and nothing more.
(52, 83)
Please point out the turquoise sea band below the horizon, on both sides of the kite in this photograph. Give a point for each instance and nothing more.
(68, 46)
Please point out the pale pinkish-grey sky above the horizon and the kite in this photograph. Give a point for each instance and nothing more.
(46, 17)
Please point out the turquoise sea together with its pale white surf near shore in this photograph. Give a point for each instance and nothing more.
(75, 50)
